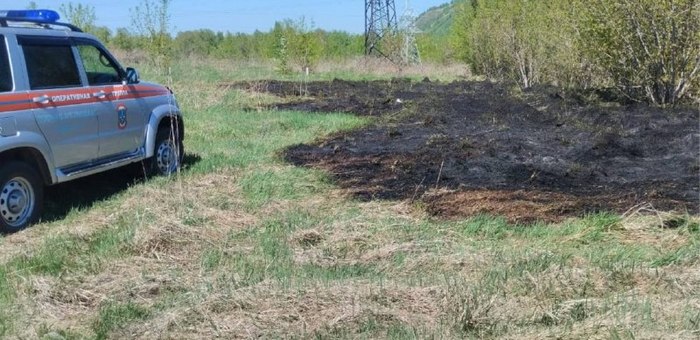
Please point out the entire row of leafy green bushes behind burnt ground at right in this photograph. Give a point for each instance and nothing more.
(648, 49)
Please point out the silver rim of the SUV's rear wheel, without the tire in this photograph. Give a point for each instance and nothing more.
(17, 202)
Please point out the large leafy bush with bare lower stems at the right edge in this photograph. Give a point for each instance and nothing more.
(649, 48)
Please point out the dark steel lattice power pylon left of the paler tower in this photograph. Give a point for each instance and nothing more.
(380, 22)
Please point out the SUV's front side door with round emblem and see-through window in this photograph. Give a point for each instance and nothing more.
(121, 123)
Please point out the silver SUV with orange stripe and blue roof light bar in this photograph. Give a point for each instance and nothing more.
(68, 110)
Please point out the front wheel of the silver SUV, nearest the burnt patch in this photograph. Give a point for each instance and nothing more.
(167, 154)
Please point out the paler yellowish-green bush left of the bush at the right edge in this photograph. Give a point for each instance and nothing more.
(527, 42)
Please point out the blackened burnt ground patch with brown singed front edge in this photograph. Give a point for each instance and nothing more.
(468, 148)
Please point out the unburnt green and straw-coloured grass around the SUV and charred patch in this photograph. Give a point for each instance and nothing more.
(242, 245)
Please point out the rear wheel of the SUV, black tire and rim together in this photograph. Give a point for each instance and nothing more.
(21, 196)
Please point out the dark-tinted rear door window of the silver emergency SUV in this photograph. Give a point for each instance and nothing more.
(50, 66)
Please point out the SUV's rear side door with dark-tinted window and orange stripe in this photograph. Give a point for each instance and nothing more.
(63, 108)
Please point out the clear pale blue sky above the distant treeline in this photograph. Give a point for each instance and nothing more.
(238, 15)
